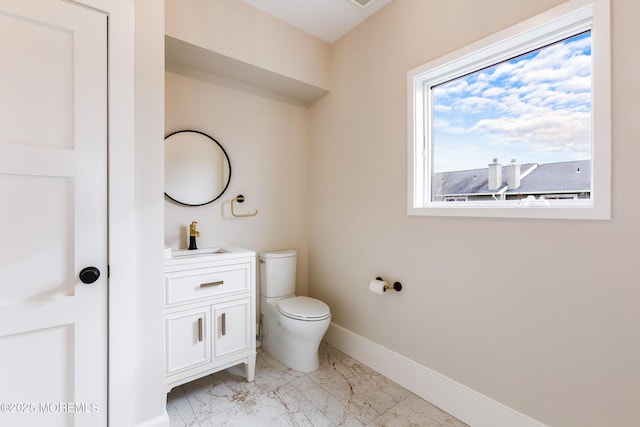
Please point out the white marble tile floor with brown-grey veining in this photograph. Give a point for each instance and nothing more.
(343, 392)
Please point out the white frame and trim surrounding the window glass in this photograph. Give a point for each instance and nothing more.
(562, 21)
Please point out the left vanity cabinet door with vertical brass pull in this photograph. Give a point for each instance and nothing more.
(188, 339)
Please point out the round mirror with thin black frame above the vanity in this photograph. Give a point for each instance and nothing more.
(197, 170)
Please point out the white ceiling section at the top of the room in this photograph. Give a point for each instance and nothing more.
(326, 19)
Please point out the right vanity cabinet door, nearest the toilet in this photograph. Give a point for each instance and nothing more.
(232, 328)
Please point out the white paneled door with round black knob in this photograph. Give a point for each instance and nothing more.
(53, 214)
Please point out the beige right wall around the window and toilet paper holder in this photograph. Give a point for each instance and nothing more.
(541, 315)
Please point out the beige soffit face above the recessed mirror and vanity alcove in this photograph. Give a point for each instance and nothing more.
(237, 30)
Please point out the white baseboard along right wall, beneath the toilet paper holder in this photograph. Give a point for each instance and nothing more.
(466, 404)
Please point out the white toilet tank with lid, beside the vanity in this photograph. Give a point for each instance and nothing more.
(278, 273)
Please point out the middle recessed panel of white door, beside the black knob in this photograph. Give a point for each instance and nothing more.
(55, 227)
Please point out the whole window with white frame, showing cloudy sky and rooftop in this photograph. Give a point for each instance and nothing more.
(518, 124)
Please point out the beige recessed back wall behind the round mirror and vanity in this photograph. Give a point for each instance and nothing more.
(267, 141)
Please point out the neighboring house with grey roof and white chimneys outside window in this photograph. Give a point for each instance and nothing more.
(563, 180)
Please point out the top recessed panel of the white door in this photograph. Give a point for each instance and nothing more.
(52, 85)
